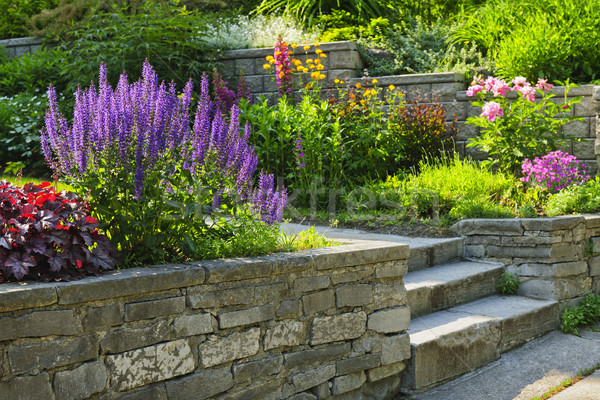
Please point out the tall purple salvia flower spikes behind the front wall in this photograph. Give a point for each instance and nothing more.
(139, 127)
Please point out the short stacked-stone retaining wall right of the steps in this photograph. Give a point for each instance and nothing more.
(556, 258)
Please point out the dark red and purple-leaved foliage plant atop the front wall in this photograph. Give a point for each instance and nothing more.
(45, 235)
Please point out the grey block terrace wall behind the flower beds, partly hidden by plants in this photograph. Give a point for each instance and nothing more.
(343, 62)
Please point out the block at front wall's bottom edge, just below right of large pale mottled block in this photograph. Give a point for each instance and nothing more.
(202, 385)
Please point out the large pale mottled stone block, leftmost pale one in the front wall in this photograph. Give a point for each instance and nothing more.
(150, 364)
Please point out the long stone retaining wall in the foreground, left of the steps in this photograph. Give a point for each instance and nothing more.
(306, 325)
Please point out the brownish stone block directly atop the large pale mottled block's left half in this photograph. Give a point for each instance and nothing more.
(132, 338)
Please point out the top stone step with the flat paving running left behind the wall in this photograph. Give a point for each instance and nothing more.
(424, 252)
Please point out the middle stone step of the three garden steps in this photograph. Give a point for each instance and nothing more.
(444, 286)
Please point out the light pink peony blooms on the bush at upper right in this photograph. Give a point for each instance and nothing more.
(499, 87)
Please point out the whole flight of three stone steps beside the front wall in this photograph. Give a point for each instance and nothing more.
(459, 322)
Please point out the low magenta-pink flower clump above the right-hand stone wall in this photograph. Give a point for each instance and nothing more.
(554, 171)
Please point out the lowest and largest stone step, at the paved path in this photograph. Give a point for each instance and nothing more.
(447, 344)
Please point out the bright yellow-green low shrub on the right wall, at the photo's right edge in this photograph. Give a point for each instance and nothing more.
(575, 199)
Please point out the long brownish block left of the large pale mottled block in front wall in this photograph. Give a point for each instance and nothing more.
(52, 353)
